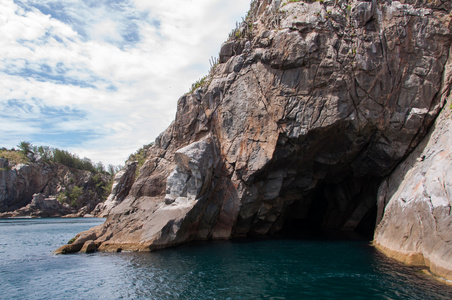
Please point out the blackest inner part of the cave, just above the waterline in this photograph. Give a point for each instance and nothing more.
(345, 209)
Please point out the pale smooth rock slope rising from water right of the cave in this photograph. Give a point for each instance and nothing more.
(417, 223)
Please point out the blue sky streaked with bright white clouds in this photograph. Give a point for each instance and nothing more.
(101, 78)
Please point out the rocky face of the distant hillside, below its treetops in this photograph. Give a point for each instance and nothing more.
(32, 190)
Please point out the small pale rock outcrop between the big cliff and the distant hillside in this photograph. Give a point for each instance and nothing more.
(122, 183)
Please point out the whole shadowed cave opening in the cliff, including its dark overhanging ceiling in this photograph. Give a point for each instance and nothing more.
(327, 184)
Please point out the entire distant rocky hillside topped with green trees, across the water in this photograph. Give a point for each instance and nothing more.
(43, 181)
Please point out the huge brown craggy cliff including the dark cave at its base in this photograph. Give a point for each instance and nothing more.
(310, 108)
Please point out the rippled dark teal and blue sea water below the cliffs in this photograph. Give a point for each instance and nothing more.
(259, 269)
